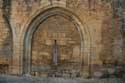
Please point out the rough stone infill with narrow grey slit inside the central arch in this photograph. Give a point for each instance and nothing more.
(56, 46)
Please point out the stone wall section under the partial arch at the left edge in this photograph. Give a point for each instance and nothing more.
(6, 43)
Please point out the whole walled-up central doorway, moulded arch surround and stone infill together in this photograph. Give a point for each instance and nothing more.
(56, 45)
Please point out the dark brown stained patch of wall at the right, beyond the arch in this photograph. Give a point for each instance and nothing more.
(111, 41)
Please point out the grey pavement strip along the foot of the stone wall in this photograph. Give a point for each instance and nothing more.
(24, 79)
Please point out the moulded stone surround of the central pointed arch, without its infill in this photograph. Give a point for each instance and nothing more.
(43, 16)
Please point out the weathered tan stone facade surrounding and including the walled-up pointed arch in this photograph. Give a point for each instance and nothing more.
(87, 33)
